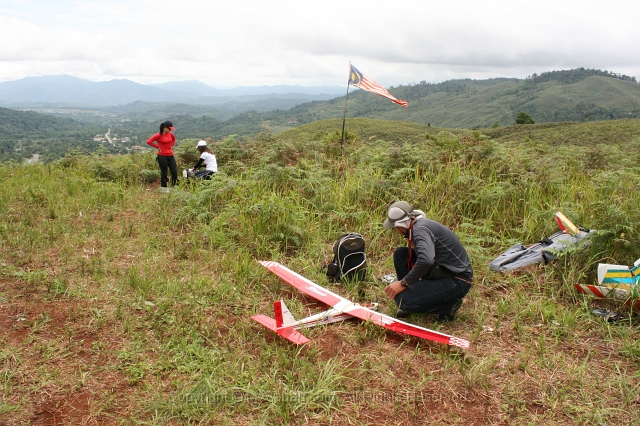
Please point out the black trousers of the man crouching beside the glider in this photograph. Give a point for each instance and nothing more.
(433, 296)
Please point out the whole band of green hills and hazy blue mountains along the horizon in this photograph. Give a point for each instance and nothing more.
(570, 95)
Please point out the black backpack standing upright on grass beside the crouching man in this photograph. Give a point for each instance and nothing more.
(349, 261)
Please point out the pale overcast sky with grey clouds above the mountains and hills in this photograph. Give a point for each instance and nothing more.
(253, 43)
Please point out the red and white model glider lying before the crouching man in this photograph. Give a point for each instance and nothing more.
(285, 325)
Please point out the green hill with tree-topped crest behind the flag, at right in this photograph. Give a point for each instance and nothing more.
(573, 95)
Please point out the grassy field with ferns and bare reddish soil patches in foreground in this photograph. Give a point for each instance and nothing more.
(123, 305)
